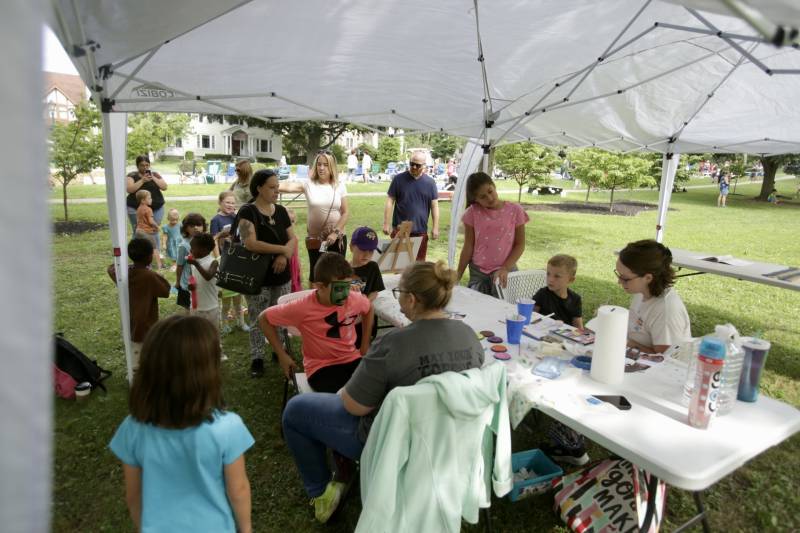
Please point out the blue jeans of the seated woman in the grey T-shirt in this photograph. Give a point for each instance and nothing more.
(313, 422)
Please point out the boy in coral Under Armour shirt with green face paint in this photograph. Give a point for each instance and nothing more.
(325, 319)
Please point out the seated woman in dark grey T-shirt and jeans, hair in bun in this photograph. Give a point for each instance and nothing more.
(431, 344)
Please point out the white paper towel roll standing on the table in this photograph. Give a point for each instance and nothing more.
(611, 335)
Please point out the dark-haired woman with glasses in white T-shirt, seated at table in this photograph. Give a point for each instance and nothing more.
(657, 317)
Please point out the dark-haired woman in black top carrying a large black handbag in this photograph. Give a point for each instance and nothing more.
(265, 228)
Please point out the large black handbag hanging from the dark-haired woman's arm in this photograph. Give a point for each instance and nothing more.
(241, 270)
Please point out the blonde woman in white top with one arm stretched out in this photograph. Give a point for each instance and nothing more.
(327, 208)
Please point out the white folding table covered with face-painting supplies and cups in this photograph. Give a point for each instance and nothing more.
(654, 433)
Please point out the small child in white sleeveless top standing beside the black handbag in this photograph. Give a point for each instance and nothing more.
(204, 268)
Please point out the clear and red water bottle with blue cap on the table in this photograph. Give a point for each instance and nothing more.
(707, 383)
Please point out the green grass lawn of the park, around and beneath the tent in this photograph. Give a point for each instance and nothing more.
(760, 496)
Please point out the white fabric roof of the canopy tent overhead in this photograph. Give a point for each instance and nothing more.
(623, 75)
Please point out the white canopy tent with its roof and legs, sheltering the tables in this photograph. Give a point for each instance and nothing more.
(627, 75)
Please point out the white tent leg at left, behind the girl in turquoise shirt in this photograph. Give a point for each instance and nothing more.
(115, 126)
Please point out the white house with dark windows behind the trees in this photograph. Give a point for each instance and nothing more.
(237, 140)
